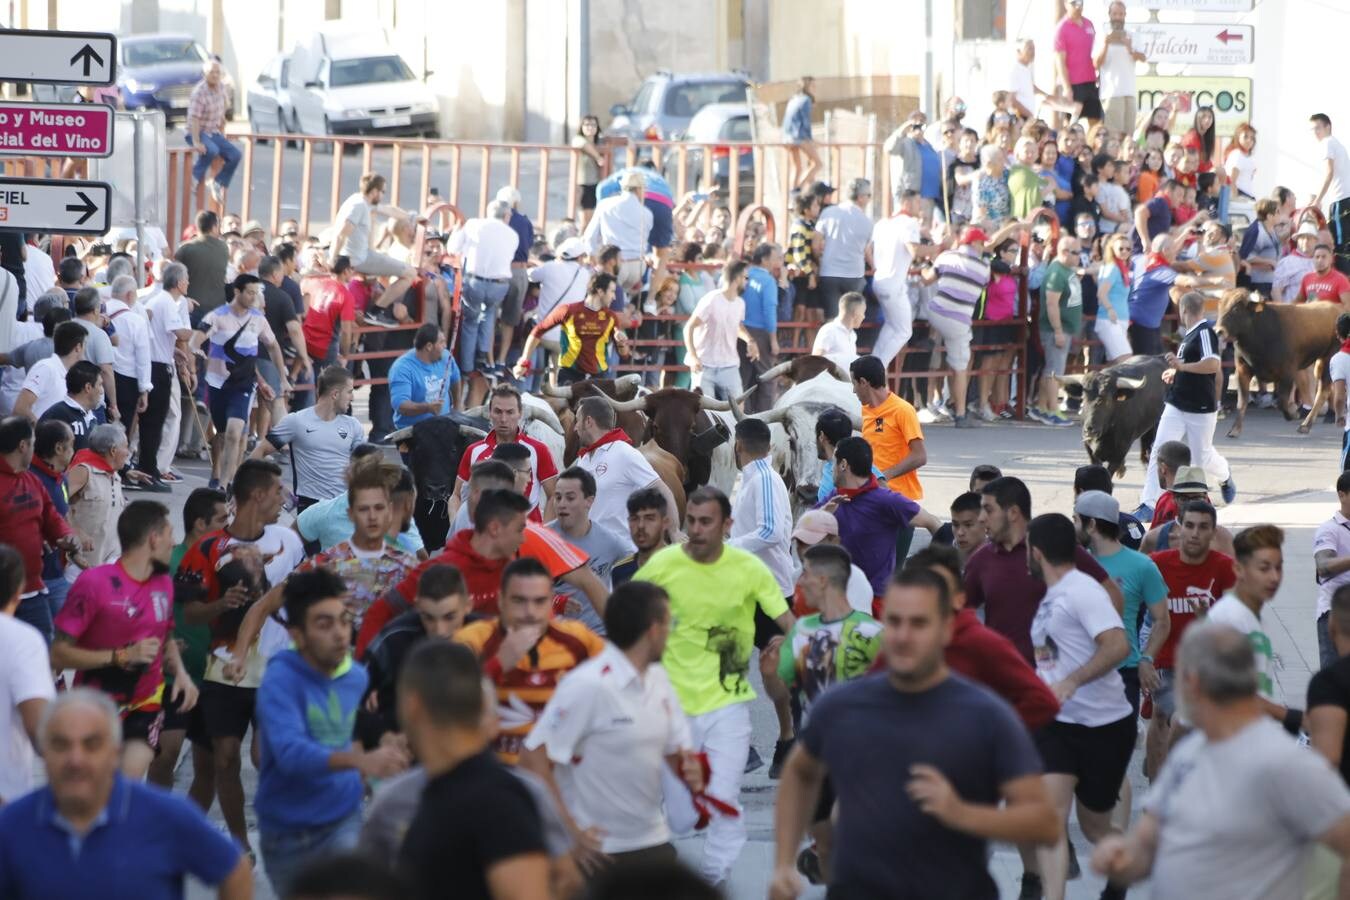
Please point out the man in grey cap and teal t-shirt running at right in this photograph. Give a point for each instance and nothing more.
(1098, 519)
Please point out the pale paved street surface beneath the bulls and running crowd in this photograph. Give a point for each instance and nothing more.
(1283, 478)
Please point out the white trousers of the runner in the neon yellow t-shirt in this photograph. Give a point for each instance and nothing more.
(726, 737)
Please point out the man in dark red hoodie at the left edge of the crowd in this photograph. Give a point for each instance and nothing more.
(28, 519)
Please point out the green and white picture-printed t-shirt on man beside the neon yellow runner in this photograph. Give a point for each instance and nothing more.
(819, 654)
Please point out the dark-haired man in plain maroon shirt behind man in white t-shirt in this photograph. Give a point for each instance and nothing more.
(997, 575)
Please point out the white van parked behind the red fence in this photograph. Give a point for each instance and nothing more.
(344, 82)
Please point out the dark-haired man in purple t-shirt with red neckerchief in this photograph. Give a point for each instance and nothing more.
(870, 515)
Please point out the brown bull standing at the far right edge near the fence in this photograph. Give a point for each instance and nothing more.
(1276, 342)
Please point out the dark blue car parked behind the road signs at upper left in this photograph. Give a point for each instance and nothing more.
(160, 71)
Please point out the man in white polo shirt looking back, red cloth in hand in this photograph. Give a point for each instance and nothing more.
(614, 733)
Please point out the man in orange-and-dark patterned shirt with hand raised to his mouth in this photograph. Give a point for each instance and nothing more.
(526, 652)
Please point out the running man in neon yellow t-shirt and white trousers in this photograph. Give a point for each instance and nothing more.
(715, 592)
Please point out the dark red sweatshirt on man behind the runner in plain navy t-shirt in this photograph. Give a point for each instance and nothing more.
(990, 659)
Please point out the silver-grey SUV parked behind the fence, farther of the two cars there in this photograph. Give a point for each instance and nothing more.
(666, 103)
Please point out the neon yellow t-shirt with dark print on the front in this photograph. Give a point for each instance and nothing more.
(708, 655)
